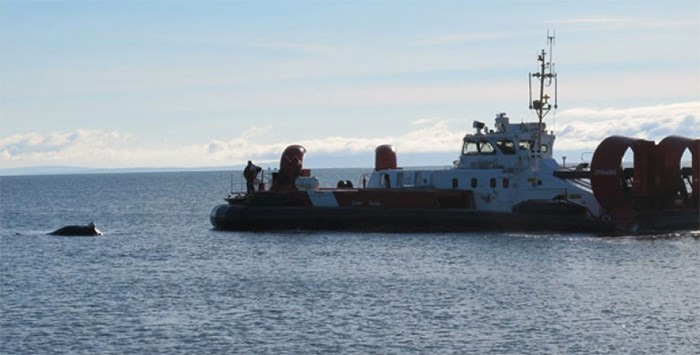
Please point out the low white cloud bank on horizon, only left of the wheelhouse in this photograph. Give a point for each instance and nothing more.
(100, 149)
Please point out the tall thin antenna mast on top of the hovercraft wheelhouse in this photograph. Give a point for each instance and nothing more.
(545, 76)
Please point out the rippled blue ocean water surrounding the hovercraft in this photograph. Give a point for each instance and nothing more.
(162, 281)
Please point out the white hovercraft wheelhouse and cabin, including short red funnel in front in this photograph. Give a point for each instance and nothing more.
(504, 170)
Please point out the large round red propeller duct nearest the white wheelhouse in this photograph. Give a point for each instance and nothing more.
(607, 179)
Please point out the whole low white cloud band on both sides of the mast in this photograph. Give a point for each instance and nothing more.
(578, 130)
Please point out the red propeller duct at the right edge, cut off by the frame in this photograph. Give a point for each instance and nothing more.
(670, 151)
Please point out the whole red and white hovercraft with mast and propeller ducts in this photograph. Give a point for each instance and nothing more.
(505, 179)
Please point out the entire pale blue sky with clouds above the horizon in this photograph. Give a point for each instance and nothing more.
(128, 84)
